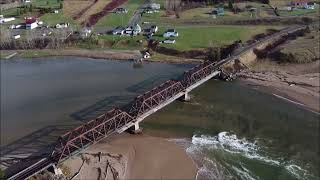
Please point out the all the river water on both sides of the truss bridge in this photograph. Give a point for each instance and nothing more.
(231, 131)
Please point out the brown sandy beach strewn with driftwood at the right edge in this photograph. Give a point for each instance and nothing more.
(295, 83)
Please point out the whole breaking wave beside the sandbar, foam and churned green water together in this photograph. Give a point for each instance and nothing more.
(213, 155)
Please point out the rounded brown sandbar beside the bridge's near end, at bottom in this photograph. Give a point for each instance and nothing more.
(133, 157)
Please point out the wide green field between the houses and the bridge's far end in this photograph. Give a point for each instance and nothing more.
(193, 37)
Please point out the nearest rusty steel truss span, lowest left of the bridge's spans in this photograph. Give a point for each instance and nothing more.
(89, 133)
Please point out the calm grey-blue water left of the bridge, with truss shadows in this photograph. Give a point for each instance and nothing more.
(42, 95)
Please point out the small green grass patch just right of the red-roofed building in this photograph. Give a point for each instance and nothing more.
(51, 19)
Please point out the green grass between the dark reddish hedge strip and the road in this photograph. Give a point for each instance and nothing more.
(114, 20)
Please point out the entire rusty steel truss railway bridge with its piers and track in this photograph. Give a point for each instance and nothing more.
(118, 120)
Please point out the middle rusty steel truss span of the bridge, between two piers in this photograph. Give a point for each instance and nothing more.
(155, 97)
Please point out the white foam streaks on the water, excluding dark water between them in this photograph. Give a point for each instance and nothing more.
(230, 143)
